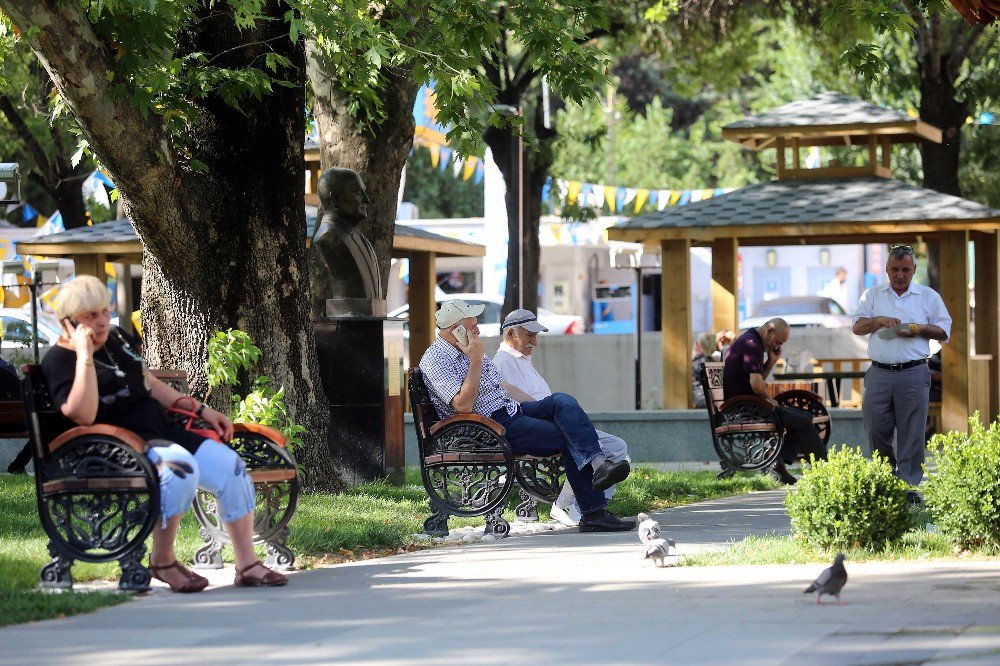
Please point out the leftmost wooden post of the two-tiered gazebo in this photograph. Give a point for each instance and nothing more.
(676, 322)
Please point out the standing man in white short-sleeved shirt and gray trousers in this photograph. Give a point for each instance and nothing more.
(899, 319)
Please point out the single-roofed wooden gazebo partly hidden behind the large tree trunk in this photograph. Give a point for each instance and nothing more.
(116, 242)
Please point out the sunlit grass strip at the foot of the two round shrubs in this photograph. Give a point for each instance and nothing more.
(917, 544)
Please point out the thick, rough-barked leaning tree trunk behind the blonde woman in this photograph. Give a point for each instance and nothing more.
(222, 249)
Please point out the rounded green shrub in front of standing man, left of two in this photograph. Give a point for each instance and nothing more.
(849, 502)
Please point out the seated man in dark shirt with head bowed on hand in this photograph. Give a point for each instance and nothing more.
(744, 374)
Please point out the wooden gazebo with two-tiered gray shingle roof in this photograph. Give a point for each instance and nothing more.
(830, 205)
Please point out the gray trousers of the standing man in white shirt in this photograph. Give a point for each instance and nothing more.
(897, 401)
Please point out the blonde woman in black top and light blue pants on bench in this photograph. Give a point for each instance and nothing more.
(94, 376)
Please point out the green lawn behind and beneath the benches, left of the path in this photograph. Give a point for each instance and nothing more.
(368, 520)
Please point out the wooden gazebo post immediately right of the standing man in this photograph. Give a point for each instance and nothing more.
(955, 353)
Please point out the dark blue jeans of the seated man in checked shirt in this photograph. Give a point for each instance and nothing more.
(557, 424)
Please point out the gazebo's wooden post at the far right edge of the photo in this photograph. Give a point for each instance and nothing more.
(987, 247)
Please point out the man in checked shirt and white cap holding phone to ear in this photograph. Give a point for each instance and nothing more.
(463, 380)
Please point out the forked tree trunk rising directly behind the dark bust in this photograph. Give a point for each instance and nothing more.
(377, 153)
